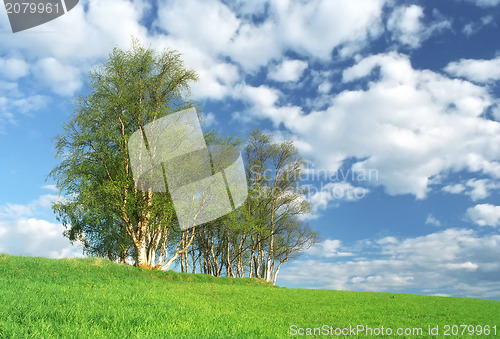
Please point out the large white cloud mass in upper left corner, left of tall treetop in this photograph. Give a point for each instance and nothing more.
(59, 53)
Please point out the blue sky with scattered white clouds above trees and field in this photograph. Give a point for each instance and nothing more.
(395, 105)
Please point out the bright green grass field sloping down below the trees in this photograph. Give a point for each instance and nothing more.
(94, 298)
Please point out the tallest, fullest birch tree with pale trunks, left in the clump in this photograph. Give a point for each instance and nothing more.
(105, 209)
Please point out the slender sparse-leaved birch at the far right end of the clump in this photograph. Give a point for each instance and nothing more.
(276, 203)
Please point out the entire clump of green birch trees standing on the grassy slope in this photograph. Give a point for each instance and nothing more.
(112, 218)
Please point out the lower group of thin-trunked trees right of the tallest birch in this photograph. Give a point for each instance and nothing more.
(266, 232)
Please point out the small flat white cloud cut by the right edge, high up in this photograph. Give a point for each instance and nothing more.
(482, 71)
